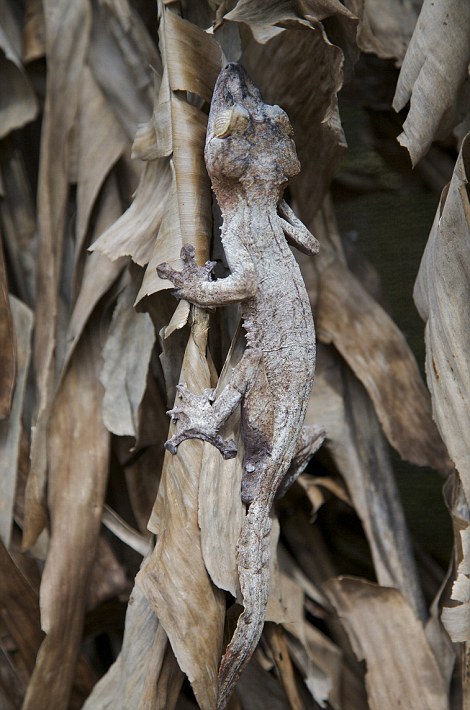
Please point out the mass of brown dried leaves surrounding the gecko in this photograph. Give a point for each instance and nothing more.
(102, 123)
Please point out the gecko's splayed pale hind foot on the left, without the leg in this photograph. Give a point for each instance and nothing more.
(196, 420)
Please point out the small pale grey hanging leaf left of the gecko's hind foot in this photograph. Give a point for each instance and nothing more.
(126, 356)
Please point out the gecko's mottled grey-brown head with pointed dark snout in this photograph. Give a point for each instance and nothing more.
(247, 140)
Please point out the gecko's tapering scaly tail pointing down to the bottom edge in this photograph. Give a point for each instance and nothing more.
(253, 557)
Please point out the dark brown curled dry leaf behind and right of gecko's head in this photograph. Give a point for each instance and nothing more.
(282, 69)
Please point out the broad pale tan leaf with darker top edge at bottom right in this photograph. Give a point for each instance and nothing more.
(385, 633)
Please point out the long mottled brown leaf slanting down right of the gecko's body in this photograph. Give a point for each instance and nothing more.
(378, 354)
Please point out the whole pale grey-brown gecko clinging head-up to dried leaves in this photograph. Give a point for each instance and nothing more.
(250, 155)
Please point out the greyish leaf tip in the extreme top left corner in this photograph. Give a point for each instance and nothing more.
(18, 105)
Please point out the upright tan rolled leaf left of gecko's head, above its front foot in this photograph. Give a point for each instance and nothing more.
(187, 218)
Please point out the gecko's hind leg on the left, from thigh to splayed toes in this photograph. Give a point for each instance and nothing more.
(200, 416)
